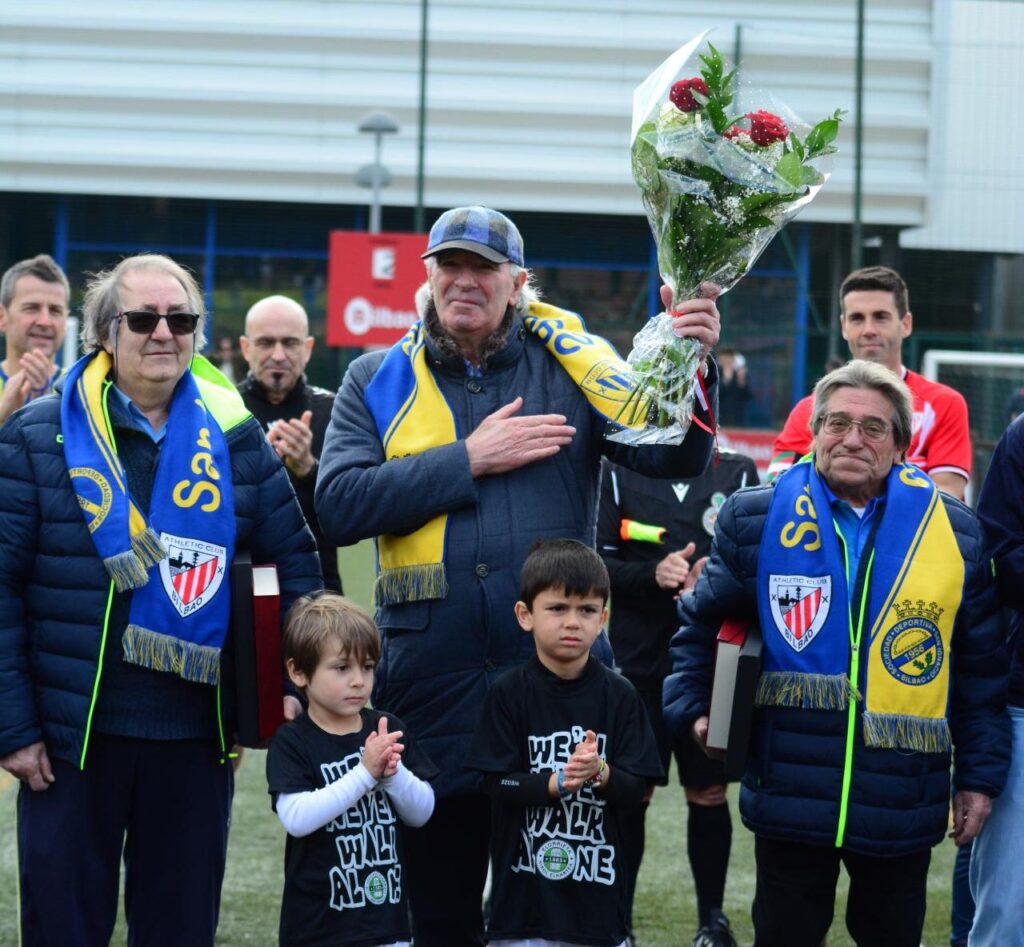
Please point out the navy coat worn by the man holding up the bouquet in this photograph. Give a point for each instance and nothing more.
(442, 657)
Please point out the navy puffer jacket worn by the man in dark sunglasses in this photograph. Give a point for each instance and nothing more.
(55, 590)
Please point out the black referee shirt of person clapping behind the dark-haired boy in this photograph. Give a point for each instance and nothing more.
(644, 615)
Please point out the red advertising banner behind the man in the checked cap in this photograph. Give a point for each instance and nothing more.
(371, 284)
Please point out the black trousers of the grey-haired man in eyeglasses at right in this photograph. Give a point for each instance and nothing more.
(796, 895)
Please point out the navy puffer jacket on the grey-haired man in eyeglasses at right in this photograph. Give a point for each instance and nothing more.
(899, 801)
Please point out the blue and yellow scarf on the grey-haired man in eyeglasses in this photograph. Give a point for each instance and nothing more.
(914, 582)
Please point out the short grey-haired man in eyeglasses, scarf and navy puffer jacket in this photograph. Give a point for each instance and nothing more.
(883, 656)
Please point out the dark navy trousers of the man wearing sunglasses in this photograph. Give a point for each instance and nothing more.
(165, 806)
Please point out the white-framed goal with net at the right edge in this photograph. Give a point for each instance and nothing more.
(993, 383)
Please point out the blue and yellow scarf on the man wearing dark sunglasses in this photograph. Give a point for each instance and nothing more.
(177, 561)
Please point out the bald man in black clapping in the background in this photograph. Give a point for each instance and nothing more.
(277, 347)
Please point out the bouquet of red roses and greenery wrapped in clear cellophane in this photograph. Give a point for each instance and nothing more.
(717, 187)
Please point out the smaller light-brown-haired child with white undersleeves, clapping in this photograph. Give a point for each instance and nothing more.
(339, 780)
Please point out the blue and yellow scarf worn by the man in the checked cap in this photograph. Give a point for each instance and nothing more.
(412, 416)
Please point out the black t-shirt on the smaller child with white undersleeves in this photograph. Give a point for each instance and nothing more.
(344, 882)
